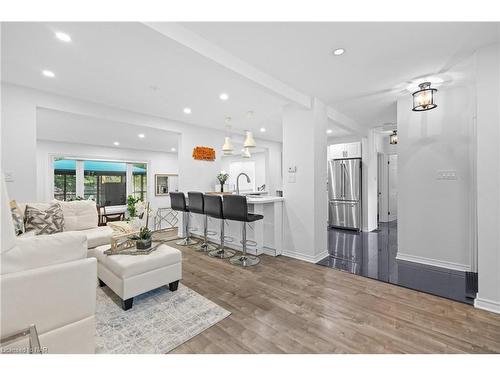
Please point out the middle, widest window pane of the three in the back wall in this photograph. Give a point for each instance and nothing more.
(105, 182)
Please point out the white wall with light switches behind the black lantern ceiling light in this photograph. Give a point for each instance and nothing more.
(435, 219)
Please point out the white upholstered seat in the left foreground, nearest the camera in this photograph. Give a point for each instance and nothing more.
(47, 281)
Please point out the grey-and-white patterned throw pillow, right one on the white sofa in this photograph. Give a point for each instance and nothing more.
(46, 221)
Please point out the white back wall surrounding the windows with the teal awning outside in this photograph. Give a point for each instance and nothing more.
(158, 162)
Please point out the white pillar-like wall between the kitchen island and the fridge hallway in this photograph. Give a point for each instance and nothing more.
(305, 208)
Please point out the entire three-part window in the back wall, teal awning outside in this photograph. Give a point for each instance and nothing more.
(104, 182)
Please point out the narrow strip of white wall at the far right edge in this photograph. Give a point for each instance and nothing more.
(488, 177)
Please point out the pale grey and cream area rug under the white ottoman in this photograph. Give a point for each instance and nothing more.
(158, 322)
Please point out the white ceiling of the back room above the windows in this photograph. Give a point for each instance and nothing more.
(69, 127)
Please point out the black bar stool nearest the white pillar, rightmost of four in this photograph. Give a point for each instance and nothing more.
(236, 208)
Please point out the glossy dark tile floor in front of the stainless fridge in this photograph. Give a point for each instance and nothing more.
(373, 254)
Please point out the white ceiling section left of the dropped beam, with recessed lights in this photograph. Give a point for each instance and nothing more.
(118, 64)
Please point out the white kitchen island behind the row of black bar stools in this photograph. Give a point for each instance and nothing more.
(266, 233)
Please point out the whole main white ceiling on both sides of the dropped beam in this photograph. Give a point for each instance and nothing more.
(131, 66)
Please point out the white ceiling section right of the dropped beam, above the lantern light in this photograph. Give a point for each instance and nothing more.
(380, 58)
